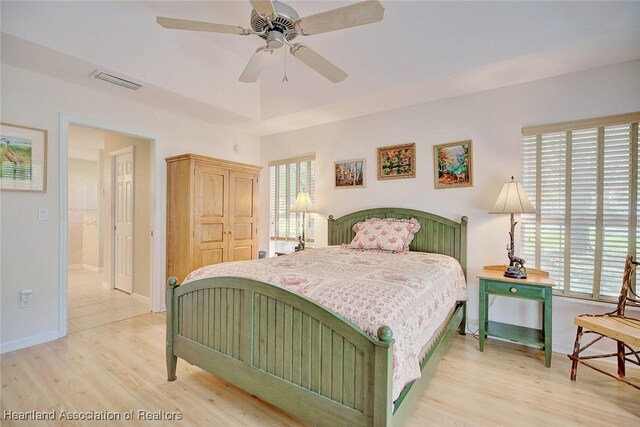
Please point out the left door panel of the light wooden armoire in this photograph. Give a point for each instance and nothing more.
(211, 199)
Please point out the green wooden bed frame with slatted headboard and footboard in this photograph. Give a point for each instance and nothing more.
(296, 354)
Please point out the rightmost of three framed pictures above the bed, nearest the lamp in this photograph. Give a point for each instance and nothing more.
(453, 164)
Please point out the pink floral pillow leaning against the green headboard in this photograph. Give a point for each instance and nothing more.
(389, 234)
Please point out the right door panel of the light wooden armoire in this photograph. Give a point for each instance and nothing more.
(242, 219)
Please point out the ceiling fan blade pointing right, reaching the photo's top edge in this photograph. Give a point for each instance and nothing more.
(362, 13)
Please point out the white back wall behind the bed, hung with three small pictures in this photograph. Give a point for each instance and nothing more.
(493, 120)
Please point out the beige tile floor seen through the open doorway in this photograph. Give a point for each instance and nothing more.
(91, 304)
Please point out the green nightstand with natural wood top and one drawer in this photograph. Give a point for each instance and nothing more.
(537, 287)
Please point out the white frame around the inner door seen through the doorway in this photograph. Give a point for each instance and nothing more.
(112, 216)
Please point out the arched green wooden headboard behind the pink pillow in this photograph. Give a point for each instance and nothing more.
(437, 234)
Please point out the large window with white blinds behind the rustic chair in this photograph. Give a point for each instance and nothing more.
(582, 177)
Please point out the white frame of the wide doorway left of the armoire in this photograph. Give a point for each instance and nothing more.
(154, 240)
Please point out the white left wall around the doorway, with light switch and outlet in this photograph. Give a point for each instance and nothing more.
(38, 101)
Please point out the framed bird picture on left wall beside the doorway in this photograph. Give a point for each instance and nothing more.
(23, 158)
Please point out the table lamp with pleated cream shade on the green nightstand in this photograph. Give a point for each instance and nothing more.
(512, 200)
